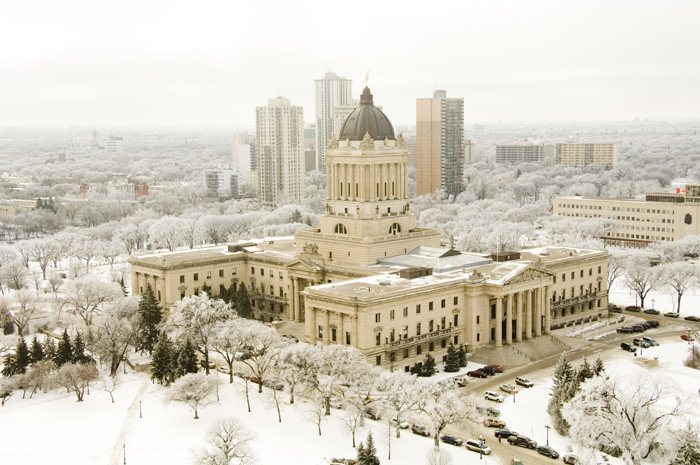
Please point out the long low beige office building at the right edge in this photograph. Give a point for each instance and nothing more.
(659, 217)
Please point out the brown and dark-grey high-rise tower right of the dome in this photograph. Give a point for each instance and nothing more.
(439, 144)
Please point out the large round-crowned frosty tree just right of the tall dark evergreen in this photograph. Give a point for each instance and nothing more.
(195, 318)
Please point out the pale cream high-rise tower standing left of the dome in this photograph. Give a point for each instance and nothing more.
(279, 152)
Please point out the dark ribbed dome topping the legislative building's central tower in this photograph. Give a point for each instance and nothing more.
(367, 119)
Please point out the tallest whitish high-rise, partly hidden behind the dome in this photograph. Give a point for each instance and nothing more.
(331, 91)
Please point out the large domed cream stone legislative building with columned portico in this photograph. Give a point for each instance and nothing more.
(369, 278)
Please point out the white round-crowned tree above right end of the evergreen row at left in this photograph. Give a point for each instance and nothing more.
(85, 297)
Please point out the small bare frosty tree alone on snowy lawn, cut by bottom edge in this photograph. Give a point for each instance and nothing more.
(228, 442)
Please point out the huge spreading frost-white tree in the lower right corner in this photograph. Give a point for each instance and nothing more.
(631, 417)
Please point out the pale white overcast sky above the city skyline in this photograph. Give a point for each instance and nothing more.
(210, 63)
